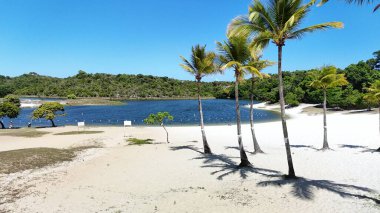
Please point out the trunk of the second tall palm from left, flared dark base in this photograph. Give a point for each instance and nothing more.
(243, 156)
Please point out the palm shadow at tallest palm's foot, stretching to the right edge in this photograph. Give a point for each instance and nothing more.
(304, 188)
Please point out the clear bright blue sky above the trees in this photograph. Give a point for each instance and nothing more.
(60, 37)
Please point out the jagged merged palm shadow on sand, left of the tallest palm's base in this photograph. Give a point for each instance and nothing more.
(224, 165)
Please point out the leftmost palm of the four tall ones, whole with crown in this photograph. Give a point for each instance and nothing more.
(200, 65)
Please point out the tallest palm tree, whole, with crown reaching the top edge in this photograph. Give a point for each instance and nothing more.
(278, 21)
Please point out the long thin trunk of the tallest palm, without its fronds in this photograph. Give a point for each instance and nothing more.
(291, 173)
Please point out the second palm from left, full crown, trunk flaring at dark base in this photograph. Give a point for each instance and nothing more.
(235, 54)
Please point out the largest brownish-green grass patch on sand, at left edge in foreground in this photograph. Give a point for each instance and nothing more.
(35, 158)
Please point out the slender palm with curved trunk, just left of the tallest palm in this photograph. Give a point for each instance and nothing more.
(259, 65)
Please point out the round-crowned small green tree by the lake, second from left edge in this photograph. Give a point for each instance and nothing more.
(49, 111)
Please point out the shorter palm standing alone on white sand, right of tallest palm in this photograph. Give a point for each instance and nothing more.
(324, 79)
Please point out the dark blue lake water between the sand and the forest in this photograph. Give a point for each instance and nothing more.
(185, 112)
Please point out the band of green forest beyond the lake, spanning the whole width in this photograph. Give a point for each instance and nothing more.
(124, 86)
